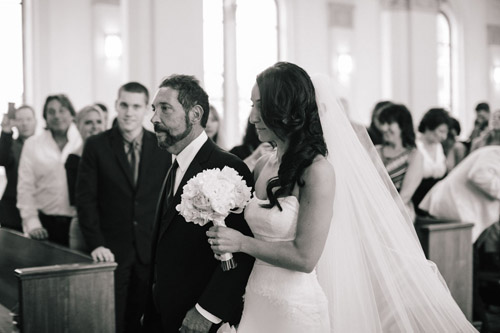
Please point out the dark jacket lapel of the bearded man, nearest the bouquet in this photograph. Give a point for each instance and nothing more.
(194, 168)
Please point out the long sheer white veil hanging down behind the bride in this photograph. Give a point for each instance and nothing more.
(373, 269)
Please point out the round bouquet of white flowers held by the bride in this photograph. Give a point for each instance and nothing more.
(210, 196)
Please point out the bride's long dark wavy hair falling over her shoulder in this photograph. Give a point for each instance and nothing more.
(288, 108)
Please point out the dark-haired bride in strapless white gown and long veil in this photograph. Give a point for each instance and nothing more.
(335, 250)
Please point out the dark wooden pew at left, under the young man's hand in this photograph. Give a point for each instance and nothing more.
(52, 288)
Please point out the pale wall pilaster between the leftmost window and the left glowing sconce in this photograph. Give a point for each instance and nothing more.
(58, 51)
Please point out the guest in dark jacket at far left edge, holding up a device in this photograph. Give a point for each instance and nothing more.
(10, 152)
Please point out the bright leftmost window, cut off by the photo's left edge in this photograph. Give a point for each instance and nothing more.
(11, 56)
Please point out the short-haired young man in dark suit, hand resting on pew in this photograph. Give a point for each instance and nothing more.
(118, 185)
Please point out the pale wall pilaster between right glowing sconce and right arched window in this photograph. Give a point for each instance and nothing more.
(409, 67)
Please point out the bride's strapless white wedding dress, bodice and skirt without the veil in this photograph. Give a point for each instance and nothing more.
(277, 299)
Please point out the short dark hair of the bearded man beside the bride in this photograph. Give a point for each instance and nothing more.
(190, 93)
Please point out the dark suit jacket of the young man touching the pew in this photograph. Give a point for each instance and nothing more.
(112, 211)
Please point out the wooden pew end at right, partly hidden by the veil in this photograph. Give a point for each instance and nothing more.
(449, 245)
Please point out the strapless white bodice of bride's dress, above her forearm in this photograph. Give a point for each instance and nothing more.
(272, 224)
